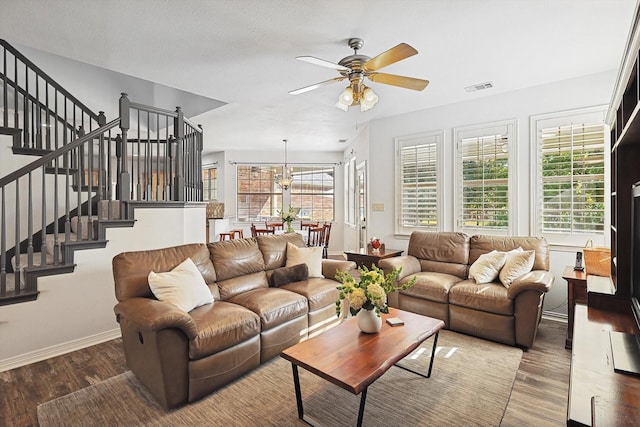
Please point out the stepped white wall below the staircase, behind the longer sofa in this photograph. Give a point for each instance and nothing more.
(76, 310)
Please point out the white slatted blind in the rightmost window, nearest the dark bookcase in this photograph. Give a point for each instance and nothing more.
(572, 179)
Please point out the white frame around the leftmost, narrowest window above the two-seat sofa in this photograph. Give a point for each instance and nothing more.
(433, 137)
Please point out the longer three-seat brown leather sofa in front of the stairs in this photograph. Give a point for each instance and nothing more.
(180, 356)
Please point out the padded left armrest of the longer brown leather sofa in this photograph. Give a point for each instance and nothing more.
(154, 315)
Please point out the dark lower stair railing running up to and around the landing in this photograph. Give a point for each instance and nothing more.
(165, 168)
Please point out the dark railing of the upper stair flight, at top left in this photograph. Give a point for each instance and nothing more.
(46, 113)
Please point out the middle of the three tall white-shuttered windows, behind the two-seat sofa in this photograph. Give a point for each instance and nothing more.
(484, 157)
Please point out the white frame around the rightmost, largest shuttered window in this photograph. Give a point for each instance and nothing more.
(590, 116)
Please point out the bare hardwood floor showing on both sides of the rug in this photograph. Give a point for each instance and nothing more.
(539, 395)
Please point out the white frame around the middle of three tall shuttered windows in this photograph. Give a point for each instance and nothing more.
(509, 128)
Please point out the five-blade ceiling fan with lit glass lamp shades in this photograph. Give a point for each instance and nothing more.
(358, 67)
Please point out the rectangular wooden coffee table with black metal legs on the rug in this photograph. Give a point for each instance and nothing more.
(353, 360)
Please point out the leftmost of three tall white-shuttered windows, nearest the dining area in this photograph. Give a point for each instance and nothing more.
(417, 160)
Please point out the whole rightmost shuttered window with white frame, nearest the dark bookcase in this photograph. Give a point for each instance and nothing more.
(570, 193)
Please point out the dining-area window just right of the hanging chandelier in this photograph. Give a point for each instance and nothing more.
(312, 190)
